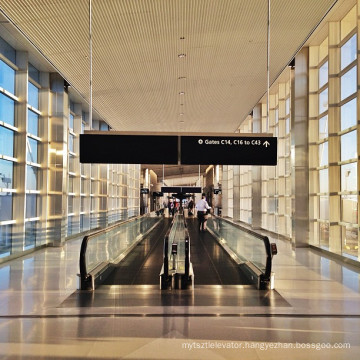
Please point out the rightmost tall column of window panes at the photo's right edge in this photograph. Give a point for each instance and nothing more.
(348, 136)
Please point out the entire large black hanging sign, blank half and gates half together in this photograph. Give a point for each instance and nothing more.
(113, 148)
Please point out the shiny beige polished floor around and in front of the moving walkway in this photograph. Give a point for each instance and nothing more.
(314, 313)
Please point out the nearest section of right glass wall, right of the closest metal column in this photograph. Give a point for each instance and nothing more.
(333, 158)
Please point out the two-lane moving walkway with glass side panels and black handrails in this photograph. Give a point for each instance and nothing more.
(153, 249)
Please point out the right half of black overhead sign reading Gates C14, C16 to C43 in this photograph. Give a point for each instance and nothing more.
(228, 150)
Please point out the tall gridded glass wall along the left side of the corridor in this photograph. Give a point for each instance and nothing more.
(46, 195)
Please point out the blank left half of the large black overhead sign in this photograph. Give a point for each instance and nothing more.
(128, 149)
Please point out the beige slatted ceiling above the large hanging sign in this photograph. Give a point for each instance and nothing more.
(135, 55)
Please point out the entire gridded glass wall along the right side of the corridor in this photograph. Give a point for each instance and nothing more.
(332, 145)
